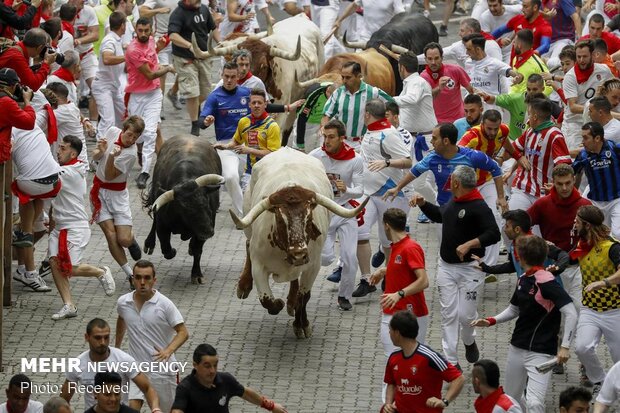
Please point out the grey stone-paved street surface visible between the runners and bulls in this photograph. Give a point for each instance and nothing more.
(339, 369)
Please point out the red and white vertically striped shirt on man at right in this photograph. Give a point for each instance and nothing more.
(544, 149)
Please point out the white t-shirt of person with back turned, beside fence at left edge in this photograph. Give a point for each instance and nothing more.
(31, 154)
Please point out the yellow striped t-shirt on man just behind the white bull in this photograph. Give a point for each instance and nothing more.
(263, 134)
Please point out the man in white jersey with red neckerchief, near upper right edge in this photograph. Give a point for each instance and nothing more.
(579, 85)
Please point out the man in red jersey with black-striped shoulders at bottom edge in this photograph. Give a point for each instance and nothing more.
(416, 373)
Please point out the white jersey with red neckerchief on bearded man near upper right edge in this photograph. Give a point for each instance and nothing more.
(584, 91)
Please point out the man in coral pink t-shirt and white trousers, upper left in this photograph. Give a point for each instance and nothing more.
(145, 97)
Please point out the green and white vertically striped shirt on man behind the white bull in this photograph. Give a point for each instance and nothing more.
(349, 107)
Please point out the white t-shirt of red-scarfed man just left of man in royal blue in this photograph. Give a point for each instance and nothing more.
(375, 145)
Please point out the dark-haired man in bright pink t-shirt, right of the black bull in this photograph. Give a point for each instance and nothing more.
(446, 81)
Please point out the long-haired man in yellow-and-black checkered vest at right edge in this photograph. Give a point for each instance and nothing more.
(599, 260)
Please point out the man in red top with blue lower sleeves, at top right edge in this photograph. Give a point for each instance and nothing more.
(531, 19)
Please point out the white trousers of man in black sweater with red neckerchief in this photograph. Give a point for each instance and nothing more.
(460, 286)
